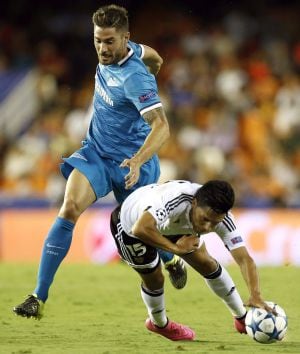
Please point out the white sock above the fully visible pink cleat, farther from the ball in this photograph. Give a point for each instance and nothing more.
(155, 303)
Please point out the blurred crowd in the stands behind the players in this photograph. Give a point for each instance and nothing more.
(230, 85)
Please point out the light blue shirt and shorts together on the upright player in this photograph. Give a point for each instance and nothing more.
(123, 92)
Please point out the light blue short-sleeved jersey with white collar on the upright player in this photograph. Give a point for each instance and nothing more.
(123, 92)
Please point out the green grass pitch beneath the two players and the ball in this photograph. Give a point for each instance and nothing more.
(98, 309)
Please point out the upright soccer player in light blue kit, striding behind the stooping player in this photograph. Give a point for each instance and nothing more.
(127, 129)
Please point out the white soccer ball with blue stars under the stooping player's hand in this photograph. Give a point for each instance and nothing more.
(265, 327)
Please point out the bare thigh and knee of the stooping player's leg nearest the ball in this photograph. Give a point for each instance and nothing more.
(201, 260)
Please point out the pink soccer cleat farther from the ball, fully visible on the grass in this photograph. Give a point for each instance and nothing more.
(173, 331)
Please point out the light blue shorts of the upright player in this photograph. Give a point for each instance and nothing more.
(105, 175)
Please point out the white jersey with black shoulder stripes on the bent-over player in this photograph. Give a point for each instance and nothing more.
(170, 204)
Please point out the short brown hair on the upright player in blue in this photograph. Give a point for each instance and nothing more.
(111, 16)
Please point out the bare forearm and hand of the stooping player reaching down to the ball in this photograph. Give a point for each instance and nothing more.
(249, 271)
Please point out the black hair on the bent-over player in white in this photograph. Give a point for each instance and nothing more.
(216, 194)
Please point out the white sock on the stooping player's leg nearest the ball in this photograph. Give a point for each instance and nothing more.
(221, 283)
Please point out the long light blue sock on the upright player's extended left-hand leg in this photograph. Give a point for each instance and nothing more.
(56, 246)
